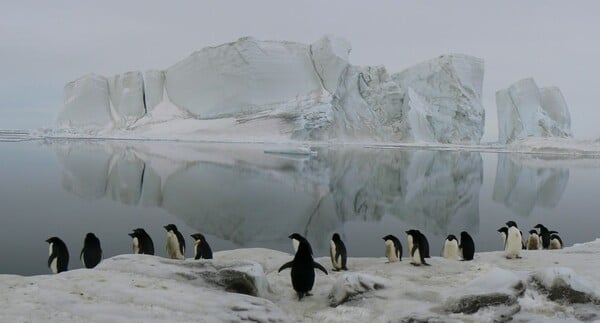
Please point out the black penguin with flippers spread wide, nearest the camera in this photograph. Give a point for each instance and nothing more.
(303, 267)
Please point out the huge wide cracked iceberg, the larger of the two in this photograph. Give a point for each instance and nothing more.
(289, 90)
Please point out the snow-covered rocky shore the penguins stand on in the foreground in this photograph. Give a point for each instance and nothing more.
(244, 285)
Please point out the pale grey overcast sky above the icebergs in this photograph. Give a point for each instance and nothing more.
(45, 44)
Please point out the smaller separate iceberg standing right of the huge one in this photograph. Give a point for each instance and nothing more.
(524, 110)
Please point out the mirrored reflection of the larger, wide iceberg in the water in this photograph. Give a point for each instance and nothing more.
(241, 194)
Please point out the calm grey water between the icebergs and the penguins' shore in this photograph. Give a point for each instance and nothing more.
(240, 196)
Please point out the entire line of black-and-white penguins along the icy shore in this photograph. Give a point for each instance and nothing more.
(303, 265)
